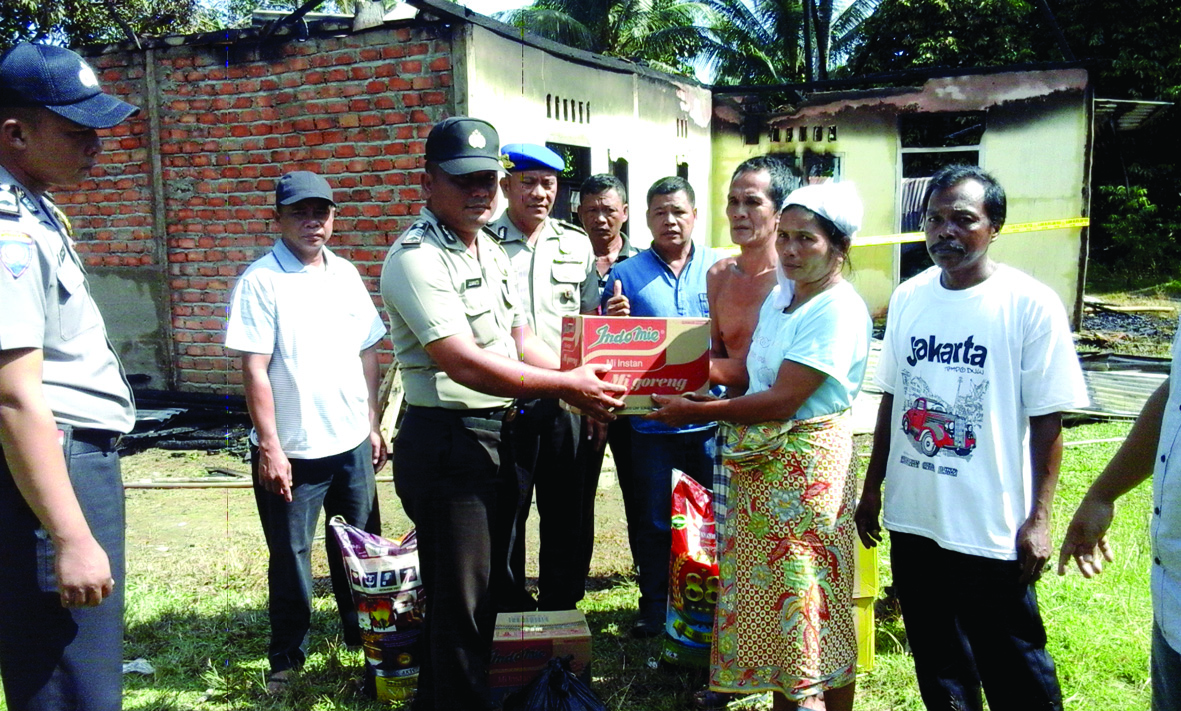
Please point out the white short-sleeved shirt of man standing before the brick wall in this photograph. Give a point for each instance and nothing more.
(314, 322)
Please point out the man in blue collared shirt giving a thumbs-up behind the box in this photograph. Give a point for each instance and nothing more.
(668, 281)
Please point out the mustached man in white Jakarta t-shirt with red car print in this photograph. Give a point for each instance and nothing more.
(977, 367)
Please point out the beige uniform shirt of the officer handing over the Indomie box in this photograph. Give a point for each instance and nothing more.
(435, 288)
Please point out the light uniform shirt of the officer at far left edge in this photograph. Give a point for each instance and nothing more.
(48, 306)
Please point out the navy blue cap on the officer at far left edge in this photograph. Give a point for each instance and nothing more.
(62, 82)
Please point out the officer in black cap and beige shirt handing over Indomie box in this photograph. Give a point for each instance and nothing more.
(462, 341)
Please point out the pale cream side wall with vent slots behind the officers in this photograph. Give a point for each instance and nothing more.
(632, 116)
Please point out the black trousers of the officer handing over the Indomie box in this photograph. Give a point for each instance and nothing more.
(454, 475)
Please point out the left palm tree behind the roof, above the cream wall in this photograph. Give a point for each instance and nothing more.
(665, 34)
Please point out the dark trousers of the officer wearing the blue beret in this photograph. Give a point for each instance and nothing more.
(547, 448)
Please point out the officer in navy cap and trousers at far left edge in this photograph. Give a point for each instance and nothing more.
(64, 402)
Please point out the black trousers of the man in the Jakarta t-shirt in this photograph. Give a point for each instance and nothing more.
(970, 624)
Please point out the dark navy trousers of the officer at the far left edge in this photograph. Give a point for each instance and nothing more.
(53, 658)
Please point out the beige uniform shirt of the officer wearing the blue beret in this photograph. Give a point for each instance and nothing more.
(556, 275)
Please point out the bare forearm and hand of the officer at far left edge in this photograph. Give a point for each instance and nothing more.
(29, 435)
